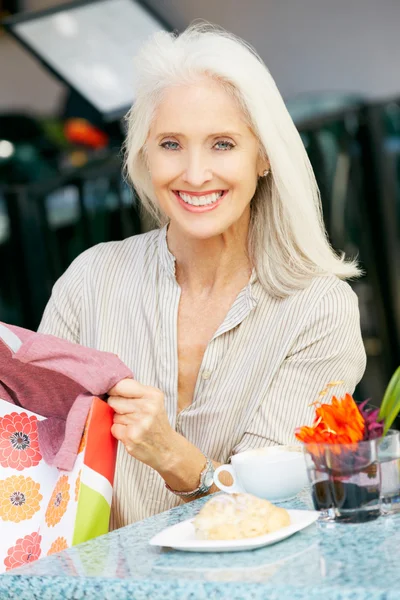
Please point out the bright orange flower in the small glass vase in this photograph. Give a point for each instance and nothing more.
(338, 423)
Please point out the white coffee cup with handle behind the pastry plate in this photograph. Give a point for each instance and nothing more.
(276, 473)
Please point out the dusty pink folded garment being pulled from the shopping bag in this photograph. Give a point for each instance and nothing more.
(56, 379)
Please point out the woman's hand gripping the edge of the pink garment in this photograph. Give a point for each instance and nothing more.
(141, 423)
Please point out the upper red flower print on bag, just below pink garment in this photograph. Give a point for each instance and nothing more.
(19, 446)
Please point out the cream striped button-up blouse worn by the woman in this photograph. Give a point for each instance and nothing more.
(261, 370)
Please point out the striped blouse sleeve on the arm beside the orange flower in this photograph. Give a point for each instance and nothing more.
(328, 349)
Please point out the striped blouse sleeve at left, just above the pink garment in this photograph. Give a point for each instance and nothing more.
(62, 315)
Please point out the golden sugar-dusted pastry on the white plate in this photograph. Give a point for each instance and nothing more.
(238, 516)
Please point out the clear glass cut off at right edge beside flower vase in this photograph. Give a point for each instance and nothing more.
(389, 458)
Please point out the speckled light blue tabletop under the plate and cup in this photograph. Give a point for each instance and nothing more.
(346, 562)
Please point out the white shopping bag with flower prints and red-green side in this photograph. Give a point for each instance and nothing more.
(44, 510)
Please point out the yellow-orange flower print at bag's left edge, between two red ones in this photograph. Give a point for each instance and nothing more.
(19, 498)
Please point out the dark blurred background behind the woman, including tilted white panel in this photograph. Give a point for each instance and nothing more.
(66, 79)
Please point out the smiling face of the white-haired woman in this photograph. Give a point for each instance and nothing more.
(203, 160)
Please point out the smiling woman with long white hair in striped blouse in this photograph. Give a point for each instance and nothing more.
(232, 316)
